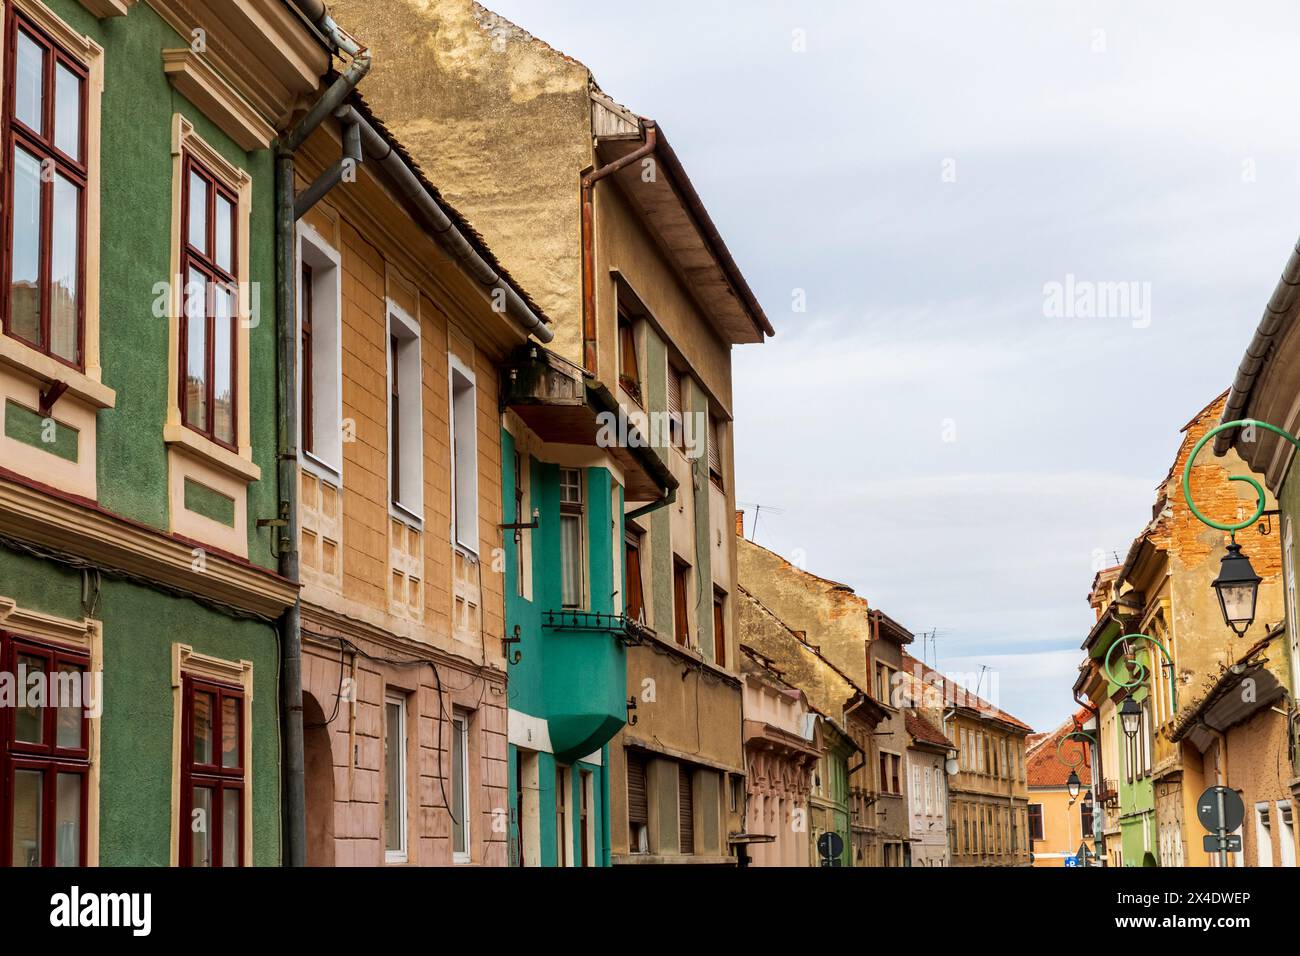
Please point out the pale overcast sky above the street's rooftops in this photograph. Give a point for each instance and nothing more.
(930, 429)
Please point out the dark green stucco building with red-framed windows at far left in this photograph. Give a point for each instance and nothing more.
(138, 432)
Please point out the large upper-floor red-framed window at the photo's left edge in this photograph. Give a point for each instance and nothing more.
(44, 267)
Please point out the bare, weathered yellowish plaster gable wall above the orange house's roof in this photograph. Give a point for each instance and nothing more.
(501, 124)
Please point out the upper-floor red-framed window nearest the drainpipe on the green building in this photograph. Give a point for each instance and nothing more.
(210, 314)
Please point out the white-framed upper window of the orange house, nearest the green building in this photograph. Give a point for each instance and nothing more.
(327, 265)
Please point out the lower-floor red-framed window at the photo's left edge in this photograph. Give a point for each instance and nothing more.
(45, 765)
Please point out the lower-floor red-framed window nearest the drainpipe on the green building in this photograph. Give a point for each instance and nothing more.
(213, 775)
